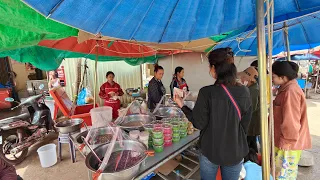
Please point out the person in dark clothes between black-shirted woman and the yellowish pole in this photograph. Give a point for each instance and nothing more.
(249, 78)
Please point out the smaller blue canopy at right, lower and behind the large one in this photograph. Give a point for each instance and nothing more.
(303, 33)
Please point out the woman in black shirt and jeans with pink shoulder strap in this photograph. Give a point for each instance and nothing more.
(223, 119)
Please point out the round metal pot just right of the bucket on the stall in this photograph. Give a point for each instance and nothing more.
(136, 121)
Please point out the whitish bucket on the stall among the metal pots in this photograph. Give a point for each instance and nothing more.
(101, 116)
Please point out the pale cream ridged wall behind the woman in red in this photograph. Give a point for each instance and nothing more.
(126, 75)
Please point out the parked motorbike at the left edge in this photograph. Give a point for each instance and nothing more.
(18, 133)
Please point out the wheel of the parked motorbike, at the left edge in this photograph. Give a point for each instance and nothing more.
(7, 140)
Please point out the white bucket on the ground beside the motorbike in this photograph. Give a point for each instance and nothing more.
(47, 155)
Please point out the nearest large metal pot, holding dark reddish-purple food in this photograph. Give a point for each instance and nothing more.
(126, 174)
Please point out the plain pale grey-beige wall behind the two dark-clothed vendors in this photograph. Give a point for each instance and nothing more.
(196, 68)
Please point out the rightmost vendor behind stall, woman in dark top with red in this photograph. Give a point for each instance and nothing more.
(178, 81)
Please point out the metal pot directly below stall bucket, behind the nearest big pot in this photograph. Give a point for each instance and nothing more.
(95, 132)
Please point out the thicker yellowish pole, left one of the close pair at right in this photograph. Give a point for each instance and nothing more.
(262, 67)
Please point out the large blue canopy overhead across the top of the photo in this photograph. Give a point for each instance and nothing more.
(162, 20)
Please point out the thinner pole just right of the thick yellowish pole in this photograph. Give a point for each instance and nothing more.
(270, 47)
